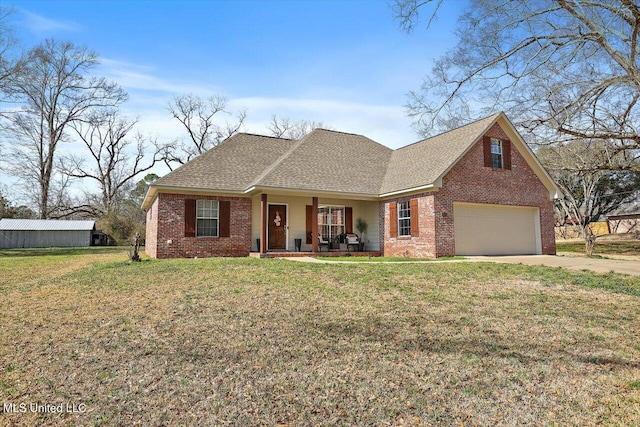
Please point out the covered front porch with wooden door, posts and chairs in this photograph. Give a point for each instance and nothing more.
(286, 224)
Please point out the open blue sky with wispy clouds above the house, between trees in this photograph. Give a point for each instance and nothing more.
(344, 63)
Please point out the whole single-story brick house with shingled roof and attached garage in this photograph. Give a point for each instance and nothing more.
(478, 189)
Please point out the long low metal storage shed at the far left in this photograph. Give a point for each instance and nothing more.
(44, 233)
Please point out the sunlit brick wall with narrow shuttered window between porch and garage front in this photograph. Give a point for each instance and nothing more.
(423, 246)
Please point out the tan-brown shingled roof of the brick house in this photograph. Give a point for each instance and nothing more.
(330, 162)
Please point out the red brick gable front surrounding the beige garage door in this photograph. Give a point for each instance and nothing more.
(470, 181)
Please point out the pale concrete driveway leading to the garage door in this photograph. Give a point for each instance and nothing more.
(572, 262)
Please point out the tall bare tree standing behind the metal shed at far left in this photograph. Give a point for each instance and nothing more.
(53, 90)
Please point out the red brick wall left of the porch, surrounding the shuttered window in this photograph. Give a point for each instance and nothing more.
(170, 227)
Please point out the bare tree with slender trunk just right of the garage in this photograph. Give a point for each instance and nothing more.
(590, 193)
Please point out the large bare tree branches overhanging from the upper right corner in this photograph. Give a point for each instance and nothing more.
(563, 69)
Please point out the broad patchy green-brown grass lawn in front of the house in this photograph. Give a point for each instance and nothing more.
(275, 342)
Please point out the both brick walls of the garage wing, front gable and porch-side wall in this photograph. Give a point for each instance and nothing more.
(470, 181)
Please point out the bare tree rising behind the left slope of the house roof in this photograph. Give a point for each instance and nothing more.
(200, 119)
